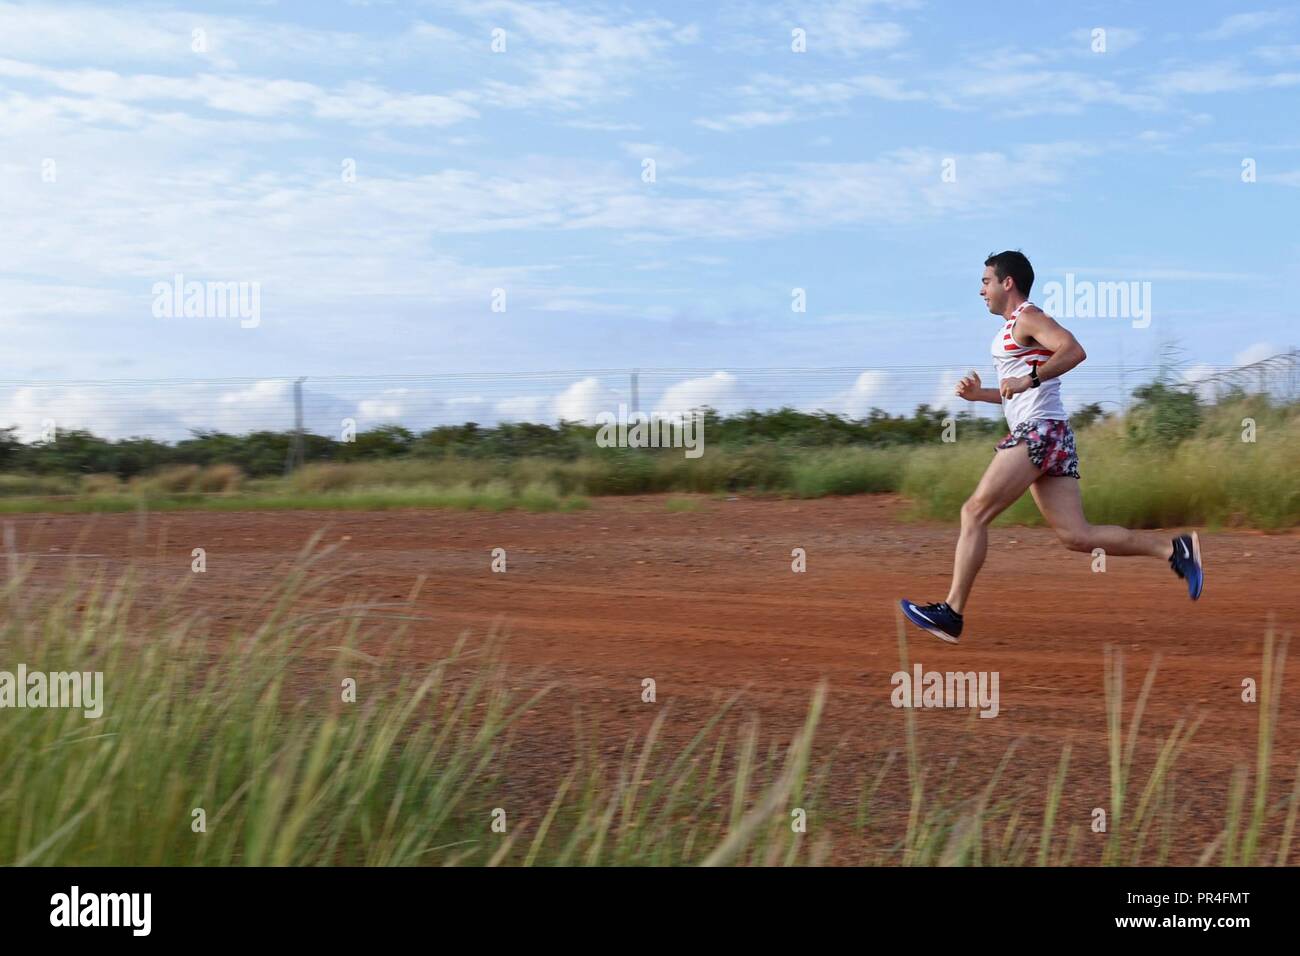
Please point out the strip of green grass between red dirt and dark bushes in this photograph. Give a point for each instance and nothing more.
(1134, 474)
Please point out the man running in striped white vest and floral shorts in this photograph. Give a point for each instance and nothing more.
(1032, 353)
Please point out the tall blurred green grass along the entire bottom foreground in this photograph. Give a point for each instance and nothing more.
(245, 752)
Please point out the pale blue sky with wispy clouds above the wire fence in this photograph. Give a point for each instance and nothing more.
(522, 171)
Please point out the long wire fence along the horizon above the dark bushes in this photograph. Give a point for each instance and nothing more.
(170, 410)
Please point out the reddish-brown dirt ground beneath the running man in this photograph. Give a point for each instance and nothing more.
(705, 603)
